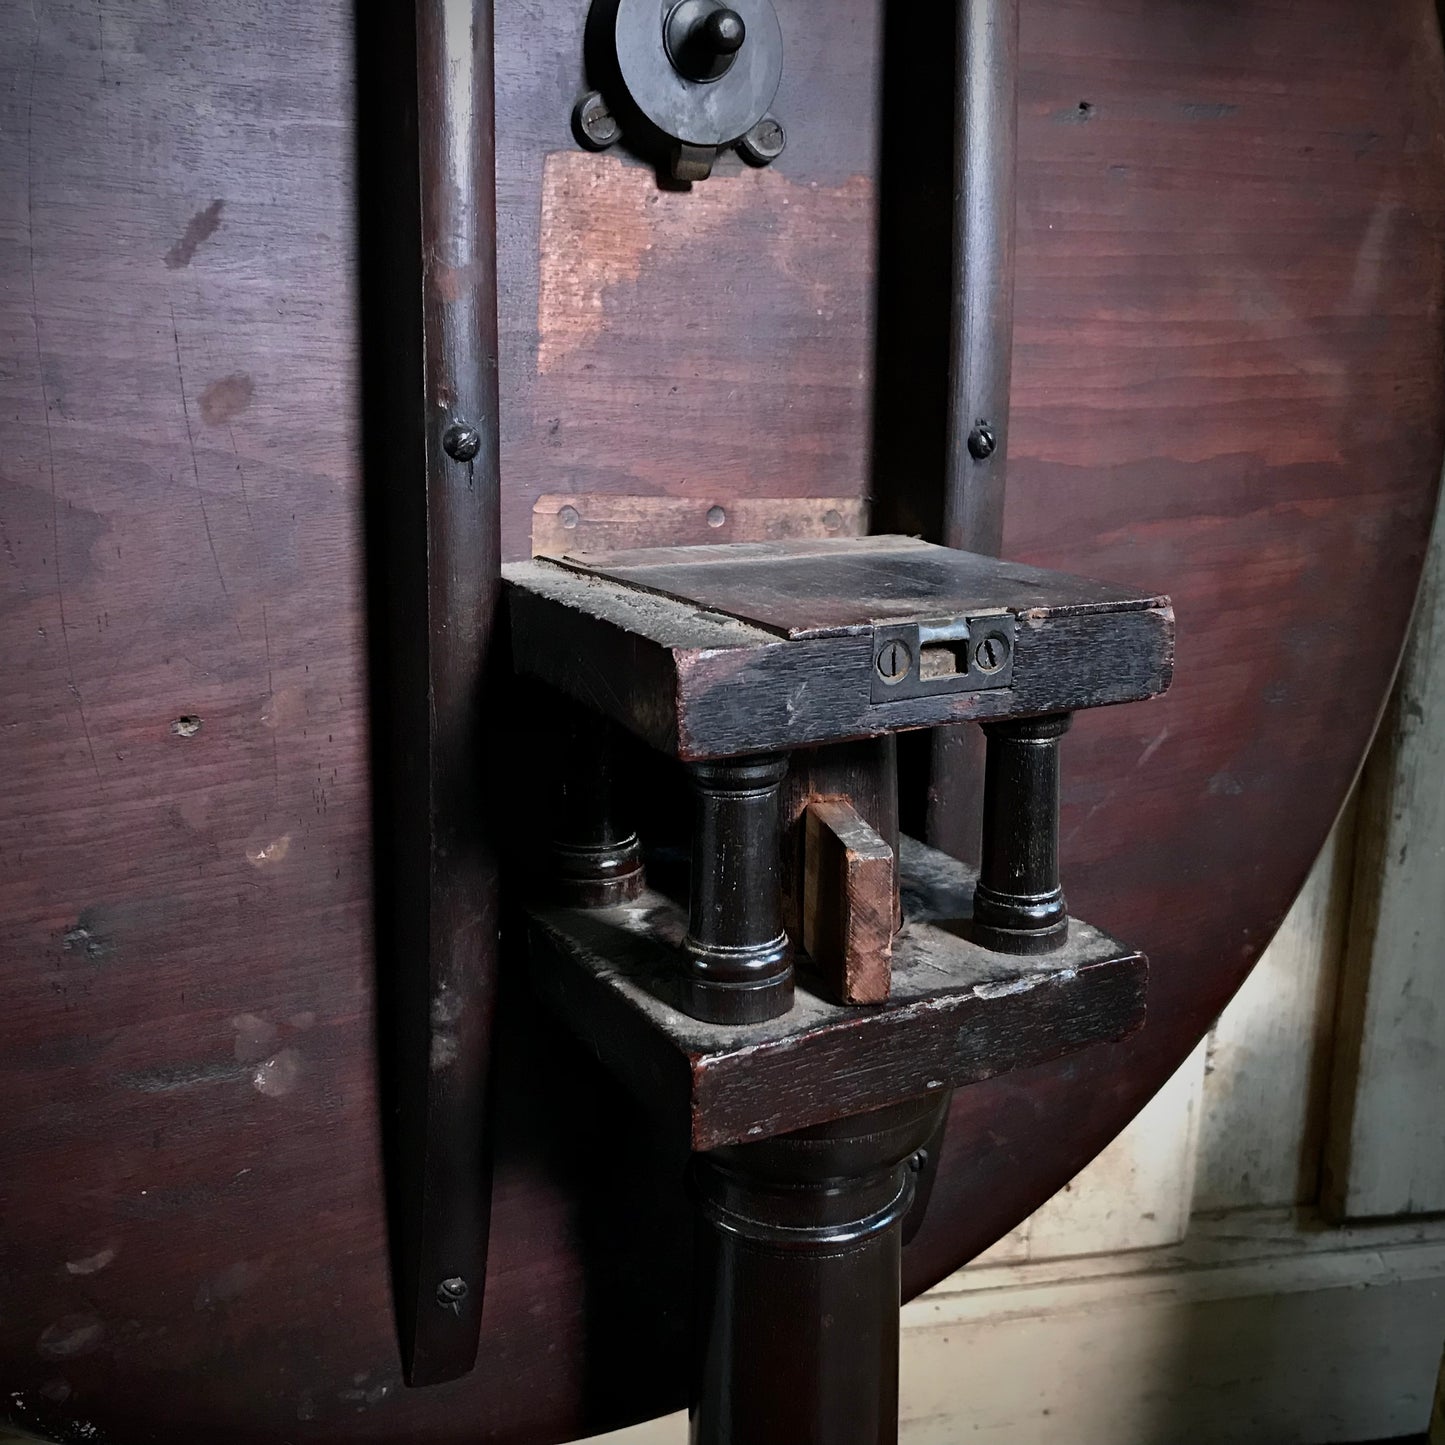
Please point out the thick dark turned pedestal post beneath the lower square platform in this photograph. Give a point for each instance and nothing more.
(798, 1269)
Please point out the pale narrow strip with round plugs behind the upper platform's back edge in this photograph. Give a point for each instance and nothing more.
(602, 522)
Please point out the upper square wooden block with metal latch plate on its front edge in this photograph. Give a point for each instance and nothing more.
(745, 648)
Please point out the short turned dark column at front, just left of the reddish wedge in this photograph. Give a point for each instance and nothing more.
(739, 962)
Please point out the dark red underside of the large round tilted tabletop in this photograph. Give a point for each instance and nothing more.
(1228, 387)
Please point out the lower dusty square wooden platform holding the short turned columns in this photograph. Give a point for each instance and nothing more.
(959, 1014)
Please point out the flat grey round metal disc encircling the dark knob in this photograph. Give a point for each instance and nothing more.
(700, 113)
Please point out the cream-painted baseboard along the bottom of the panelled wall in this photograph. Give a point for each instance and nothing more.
(1262, 1329)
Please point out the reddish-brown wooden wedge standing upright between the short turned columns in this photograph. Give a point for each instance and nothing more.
(847, 917)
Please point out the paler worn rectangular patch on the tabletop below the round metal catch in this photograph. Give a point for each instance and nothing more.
(674, 337)
